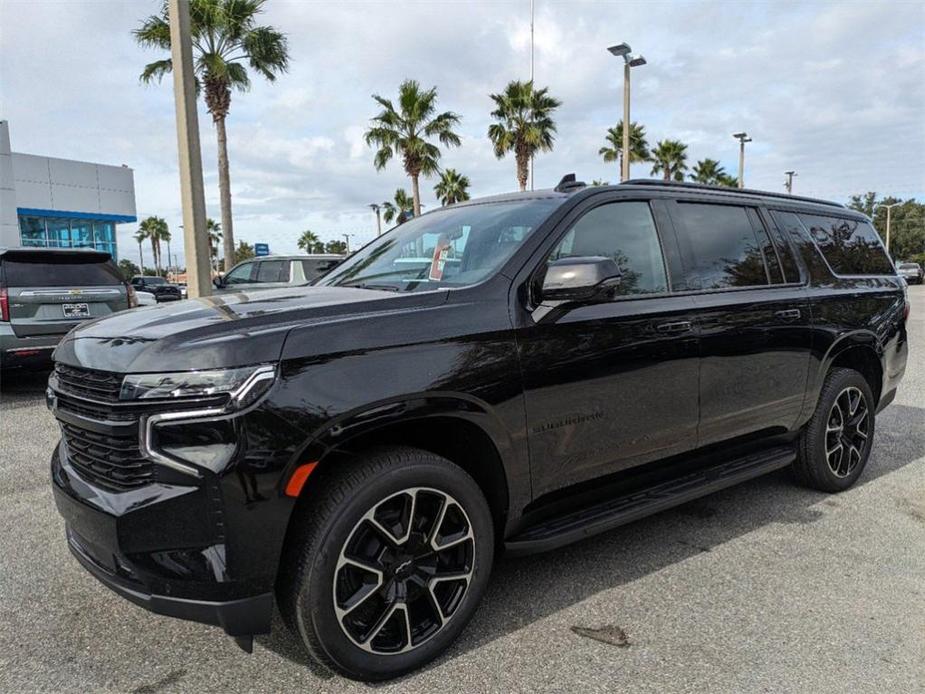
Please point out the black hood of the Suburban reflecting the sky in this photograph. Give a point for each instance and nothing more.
(221, 331)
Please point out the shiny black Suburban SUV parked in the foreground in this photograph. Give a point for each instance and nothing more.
(561, 363)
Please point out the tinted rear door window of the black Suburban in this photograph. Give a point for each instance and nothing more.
(726, 249)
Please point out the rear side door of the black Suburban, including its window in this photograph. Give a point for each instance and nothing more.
(754, 317)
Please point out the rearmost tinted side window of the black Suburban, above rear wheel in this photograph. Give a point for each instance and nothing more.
(851, 247)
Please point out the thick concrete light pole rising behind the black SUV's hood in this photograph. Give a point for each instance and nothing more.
(195, 240)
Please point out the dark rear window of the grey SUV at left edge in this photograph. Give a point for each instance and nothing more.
(50, 271)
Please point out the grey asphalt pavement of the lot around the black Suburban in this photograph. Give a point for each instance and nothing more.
(766, 587)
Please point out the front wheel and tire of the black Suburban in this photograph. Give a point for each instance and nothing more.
(360, 578)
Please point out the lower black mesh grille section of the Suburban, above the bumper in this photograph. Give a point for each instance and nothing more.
(115, 462)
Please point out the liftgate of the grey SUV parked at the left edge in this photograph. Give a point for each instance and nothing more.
(49, 292)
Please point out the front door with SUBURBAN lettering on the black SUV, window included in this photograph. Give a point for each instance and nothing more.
(610, 385)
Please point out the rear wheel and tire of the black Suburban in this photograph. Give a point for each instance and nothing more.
(835, 444)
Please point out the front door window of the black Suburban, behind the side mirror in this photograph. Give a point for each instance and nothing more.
(625, 232)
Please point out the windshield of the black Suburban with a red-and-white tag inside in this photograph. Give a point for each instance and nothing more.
(456, 247)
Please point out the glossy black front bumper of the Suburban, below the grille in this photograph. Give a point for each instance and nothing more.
(158, 547)
